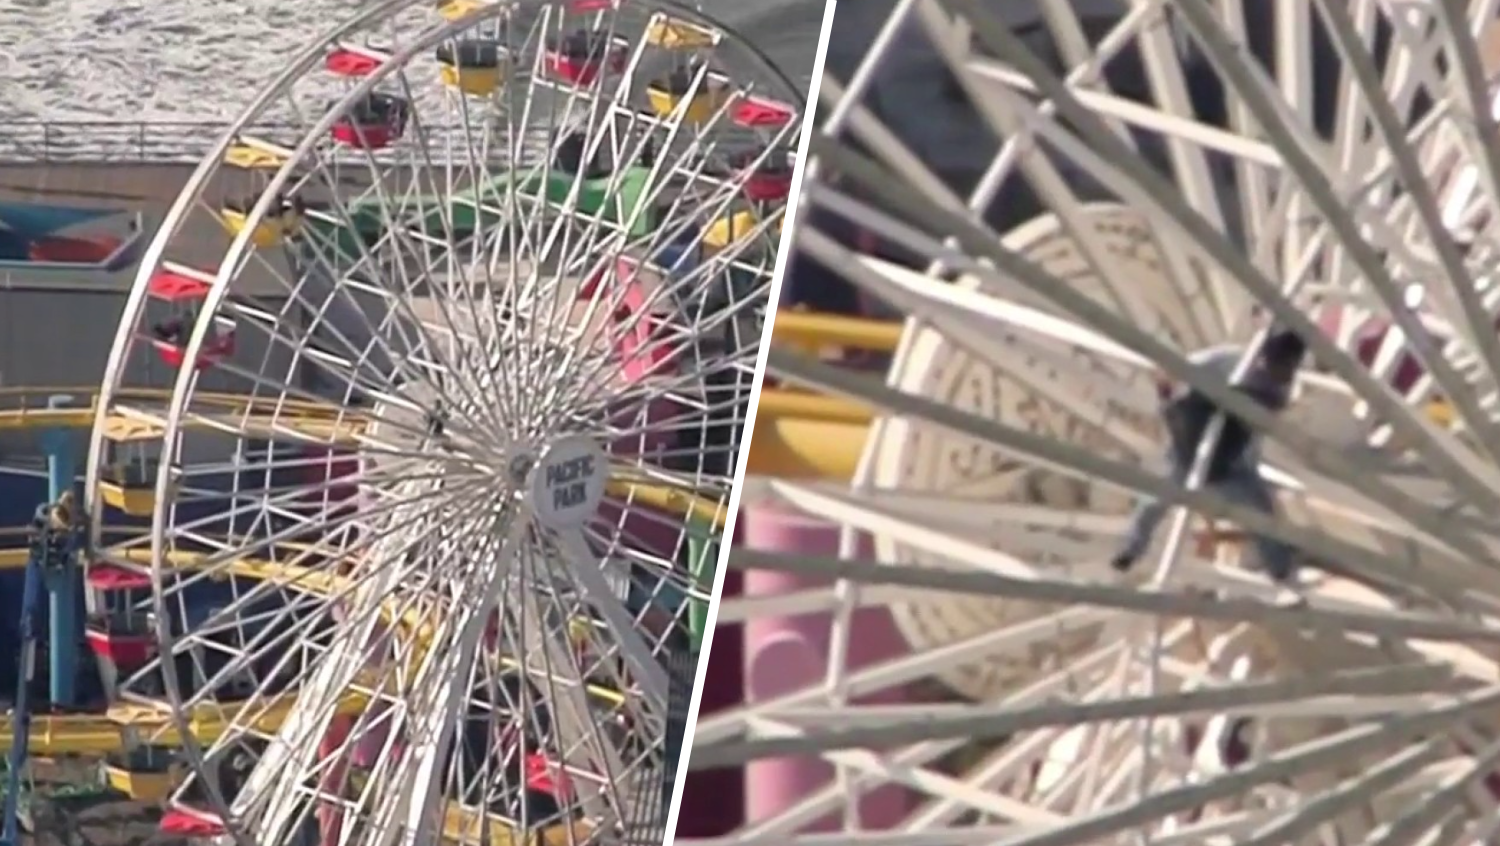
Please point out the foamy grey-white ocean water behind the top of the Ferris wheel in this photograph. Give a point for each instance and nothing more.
(196, 62)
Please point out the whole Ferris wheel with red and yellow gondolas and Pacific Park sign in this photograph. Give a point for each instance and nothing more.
(455, 329)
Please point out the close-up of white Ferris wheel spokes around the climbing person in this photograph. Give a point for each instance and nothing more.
(1325, 167)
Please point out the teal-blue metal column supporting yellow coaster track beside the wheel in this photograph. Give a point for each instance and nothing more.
(65, 634)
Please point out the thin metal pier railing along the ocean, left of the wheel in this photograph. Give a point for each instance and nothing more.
(115, 142)
